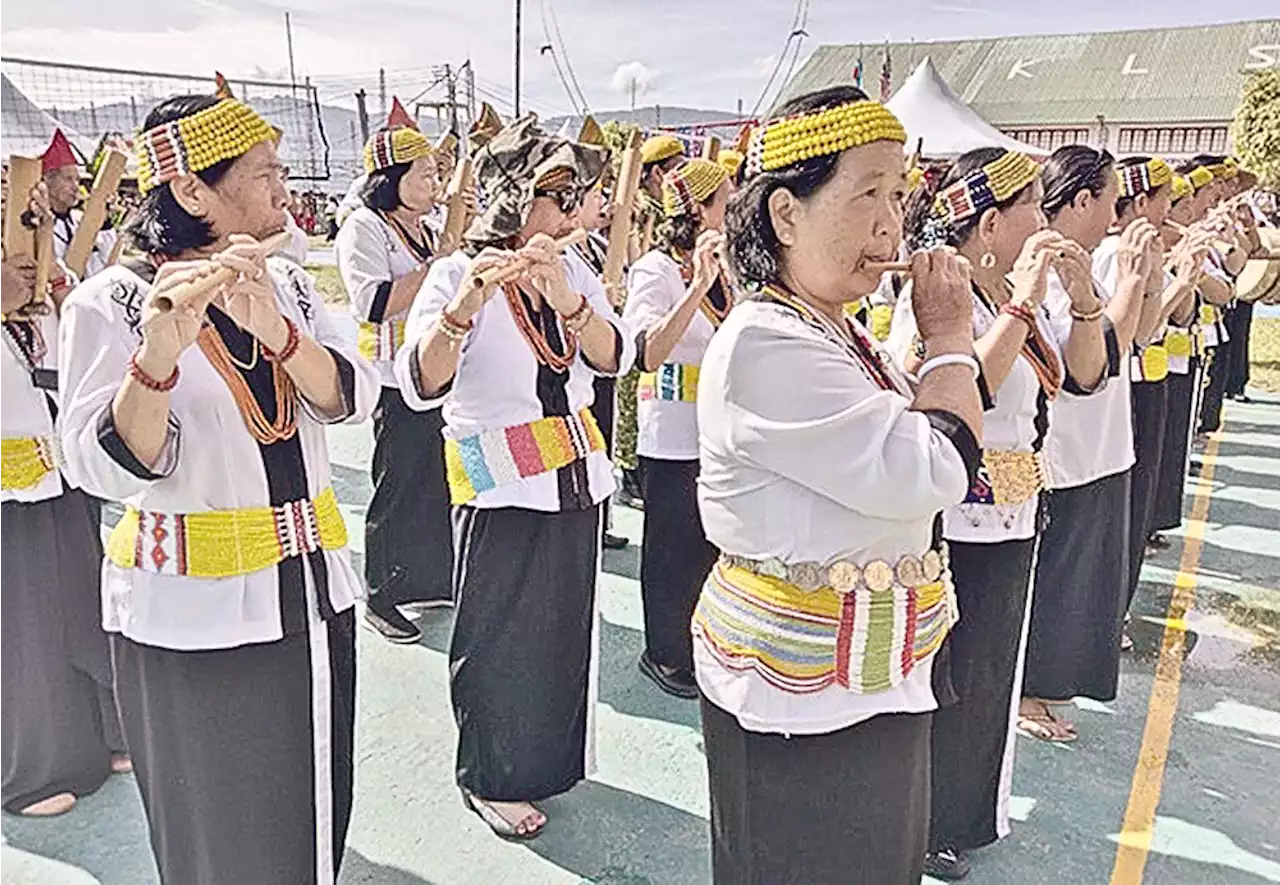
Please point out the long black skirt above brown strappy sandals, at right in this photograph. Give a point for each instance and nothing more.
(1082, 573)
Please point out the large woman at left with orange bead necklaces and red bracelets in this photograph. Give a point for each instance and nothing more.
(228, 589)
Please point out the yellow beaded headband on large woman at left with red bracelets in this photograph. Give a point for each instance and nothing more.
(194, 144)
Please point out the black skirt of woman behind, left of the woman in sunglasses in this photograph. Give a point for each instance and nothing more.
(409, 539)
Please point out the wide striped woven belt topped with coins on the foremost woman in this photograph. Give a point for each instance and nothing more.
(862, 640)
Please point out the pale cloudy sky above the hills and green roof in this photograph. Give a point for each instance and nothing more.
(706, 54)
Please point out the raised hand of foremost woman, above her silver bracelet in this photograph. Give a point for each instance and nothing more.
(943, 300)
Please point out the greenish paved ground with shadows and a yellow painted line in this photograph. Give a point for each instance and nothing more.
(1190, 758)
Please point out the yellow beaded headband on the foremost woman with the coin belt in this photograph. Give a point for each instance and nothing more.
(783, 143)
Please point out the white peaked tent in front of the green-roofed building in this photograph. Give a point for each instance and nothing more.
(949, 127)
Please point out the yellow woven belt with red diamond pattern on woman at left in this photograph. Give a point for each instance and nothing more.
(225, 544)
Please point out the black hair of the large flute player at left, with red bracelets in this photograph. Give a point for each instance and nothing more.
(161, 226)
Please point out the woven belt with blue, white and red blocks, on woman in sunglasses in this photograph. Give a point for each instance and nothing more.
(499, 458)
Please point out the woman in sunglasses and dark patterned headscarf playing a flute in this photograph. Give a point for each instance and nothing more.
(514, 363)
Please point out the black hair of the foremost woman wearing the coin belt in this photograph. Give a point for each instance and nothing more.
(753, 244)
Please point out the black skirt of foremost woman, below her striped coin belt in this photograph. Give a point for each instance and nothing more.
(843, 809)
